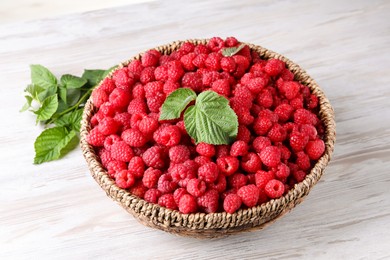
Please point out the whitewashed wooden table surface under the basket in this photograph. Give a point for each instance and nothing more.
(57, 211)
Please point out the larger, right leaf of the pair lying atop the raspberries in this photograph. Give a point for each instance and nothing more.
(211, 119)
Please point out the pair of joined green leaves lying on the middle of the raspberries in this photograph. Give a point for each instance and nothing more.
(210, 120)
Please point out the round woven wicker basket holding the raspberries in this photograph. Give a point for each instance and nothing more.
(202, 225)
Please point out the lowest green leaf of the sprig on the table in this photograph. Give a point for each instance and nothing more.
(53, 143)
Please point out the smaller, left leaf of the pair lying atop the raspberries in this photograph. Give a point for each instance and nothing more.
(176, 102)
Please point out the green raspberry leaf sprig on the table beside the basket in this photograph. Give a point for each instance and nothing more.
(58, 105)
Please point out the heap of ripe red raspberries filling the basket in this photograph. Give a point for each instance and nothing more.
(279, 134)
